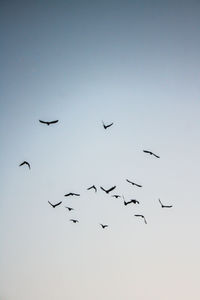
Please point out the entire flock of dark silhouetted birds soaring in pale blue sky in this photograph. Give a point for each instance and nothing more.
(93, 187)
